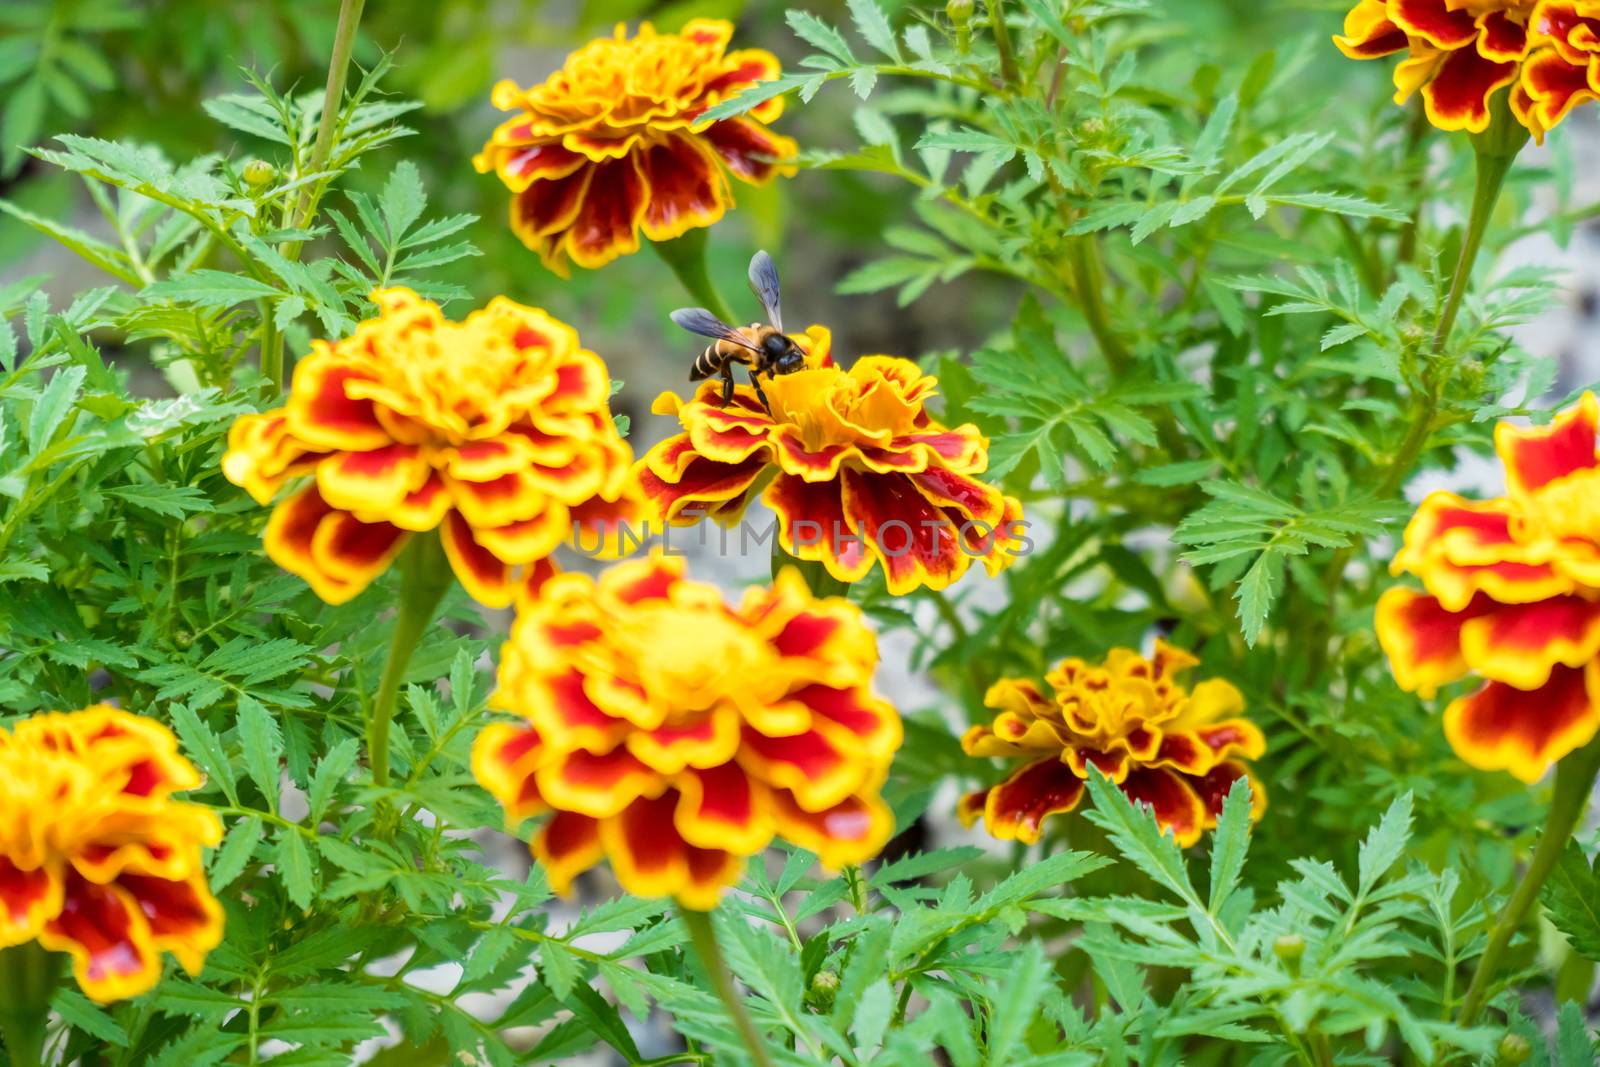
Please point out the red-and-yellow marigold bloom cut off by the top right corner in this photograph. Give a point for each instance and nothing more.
(1460, 54)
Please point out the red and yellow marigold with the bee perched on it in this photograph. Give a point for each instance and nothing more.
(852, 463)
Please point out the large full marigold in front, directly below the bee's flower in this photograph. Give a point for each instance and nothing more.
(679, 737)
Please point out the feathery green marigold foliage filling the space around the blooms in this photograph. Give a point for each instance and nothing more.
(1214, 366)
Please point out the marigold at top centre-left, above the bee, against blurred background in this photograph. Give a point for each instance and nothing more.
(615, 143)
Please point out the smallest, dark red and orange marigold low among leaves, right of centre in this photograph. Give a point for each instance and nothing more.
(1166, 746)
